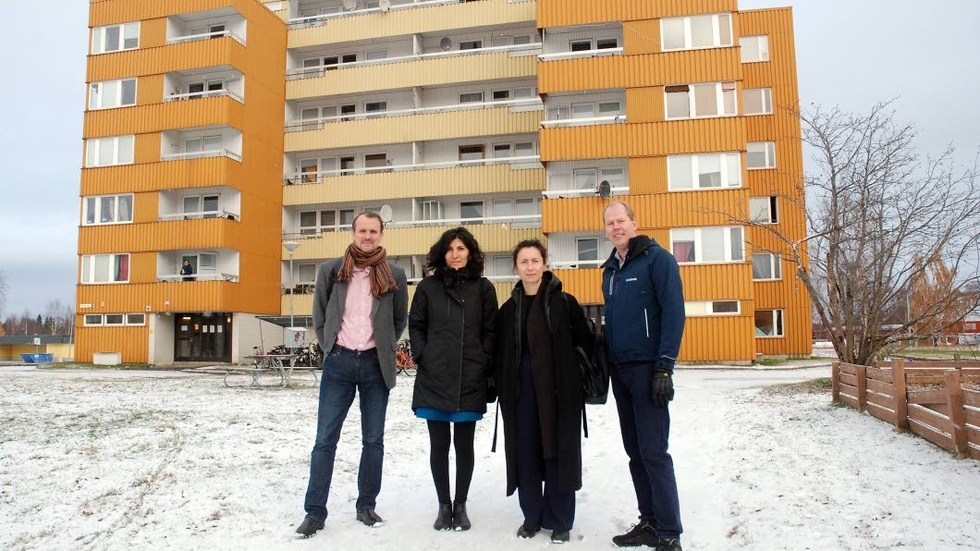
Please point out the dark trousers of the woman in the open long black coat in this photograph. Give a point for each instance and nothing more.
(551, 509)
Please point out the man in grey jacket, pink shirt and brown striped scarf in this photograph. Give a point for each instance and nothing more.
(359, 310)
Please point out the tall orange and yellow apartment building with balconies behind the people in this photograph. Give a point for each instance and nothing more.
(244, 138)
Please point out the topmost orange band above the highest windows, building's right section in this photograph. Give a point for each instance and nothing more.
(561, 13)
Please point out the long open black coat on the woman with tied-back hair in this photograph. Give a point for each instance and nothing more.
(567, 328)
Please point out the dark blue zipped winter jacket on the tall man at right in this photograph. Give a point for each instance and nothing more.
(644, 304)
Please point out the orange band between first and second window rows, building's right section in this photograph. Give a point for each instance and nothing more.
(635, 71)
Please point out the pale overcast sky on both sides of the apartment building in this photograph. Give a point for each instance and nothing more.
(851, 53)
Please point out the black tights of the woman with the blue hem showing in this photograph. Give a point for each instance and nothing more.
(439, 438)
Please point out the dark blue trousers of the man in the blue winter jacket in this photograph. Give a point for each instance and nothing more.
(645, 431)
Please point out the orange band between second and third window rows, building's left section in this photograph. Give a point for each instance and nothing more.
(215, 111)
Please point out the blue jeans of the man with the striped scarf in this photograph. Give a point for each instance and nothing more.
(344, 372)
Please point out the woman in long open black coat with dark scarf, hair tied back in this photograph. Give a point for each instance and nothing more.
(539, 387)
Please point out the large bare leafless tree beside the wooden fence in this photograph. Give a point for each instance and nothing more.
(875, 207)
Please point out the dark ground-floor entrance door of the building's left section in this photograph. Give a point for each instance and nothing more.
(202, 337)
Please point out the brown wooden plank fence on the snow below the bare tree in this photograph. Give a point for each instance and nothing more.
(939, 401)
